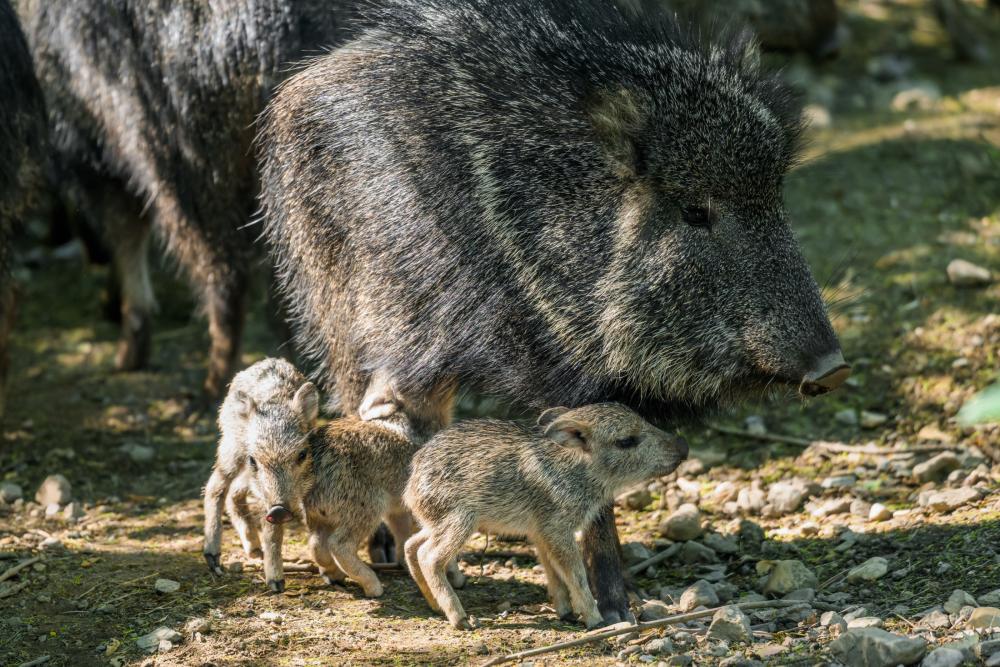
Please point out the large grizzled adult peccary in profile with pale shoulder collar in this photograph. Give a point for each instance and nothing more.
(550, 200)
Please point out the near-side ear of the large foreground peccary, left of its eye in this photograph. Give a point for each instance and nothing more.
(618, 117)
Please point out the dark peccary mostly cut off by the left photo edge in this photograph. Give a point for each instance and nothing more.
(22, 136)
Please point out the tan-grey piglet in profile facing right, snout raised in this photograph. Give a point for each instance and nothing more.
(545, 483)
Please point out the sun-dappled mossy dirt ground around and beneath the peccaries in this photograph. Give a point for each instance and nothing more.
(884, 200)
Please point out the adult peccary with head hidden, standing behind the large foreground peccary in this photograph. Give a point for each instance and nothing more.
(152, 105)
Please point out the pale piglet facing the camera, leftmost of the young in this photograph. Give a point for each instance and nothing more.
(265, 422)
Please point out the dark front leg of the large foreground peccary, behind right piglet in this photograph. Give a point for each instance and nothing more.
(602, 552)
